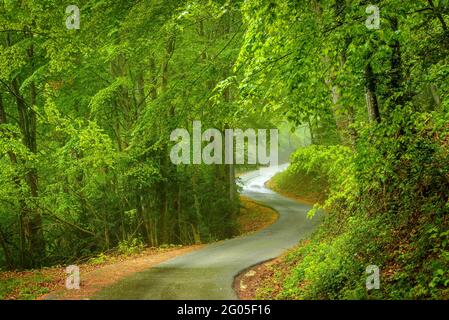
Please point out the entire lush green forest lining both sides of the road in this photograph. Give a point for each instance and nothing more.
(89, 99)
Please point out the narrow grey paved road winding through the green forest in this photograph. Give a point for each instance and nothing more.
(209, 272)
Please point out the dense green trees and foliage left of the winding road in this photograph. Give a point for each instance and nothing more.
(85, 123)
